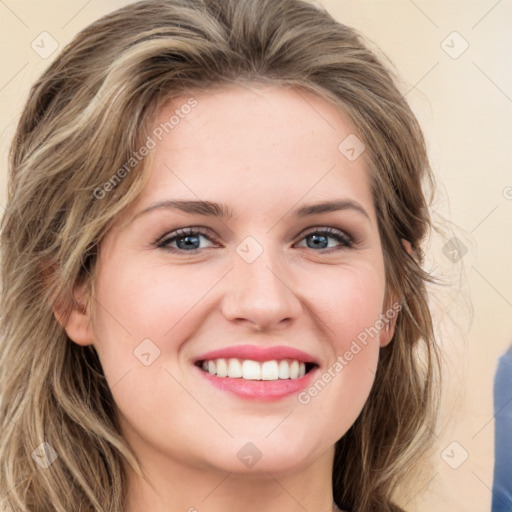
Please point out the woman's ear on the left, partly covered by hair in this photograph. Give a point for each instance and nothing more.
(75, 316)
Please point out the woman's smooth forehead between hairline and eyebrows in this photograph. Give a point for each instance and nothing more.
(271, 144)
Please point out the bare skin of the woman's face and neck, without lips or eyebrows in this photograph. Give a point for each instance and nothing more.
(264, 151)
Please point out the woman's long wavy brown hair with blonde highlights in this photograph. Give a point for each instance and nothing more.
(85, 116)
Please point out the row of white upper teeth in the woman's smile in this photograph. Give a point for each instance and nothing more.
(255, 370)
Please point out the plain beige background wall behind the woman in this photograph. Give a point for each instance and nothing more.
(465, 107)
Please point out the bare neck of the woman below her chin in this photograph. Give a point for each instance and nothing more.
(170, 486)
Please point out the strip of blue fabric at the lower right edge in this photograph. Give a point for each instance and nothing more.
(502, 485)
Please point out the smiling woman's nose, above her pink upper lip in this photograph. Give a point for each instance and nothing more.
(261, 293)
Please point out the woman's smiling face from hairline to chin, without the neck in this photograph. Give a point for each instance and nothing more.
(256, 291)
